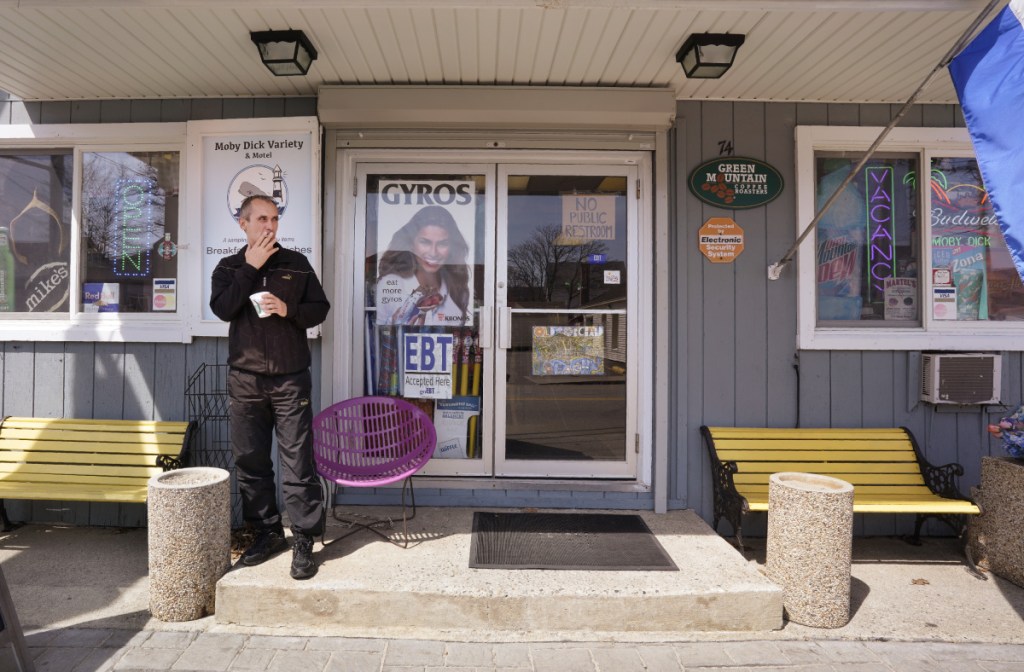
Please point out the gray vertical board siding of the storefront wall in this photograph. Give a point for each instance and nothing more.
(735, 358)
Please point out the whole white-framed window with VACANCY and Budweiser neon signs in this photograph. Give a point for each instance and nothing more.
(911, 255)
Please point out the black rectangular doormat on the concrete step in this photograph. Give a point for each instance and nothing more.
(566, 541)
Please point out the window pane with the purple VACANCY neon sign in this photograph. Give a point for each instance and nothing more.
(867, 247)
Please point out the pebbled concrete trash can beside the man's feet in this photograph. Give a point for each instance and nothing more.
(190, 517)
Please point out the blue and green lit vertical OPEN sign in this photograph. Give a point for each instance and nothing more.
(134, 222)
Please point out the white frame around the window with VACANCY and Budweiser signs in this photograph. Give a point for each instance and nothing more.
(931, 334)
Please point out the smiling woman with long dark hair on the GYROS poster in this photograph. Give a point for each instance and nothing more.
(423, 278)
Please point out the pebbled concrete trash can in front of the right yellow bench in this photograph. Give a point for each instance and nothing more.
(809, 548)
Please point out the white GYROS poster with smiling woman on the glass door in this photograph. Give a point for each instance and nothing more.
(425, 253)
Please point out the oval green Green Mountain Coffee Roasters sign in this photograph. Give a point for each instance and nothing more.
(736, 183)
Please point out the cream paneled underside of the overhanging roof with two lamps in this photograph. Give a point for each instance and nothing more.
(796, 51)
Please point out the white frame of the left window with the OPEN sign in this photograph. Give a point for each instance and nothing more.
(75, 325)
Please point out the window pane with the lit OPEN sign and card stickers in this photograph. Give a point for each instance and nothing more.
(130, 227)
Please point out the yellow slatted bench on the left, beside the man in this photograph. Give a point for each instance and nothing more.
(65, 459)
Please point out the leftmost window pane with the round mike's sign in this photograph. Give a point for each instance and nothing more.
(35, 231)
